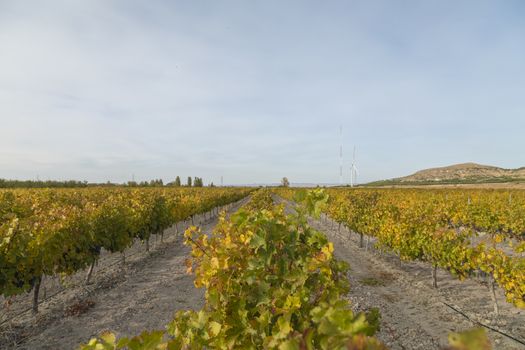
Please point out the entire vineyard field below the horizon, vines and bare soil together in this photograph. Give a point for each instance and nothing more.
(429, 262)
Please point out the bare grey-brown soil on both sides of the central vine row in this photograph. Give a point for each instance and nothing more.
(152, 286)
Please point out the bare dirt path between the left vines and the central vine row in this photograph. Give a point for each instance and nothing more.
(142, 296)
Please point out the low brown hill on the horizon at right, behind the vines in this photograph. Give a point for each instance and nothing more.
(465, 173)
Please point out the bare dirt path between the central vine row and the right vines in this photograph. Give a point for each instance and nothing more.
(413, 314)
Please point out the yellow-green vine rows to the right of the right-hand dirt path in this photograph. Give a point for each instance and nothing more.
(463, 232)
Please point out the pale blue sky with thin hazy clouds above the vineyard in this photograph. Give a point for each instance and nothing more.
(107, 90)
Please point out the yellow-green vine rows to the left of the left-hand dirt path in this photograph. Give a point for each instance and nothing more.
(62, 231)
